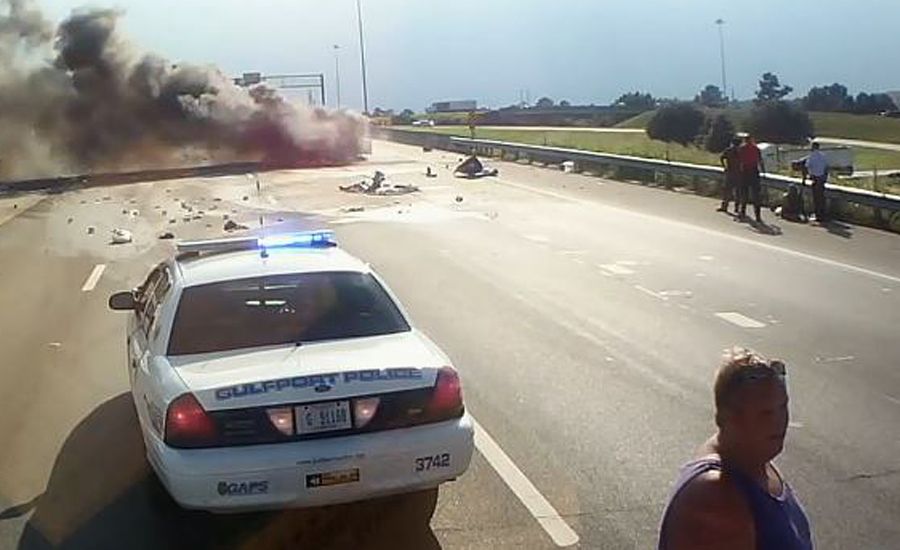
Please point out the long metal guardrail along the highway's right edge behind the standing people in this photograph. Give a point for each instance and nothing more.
(858, 205)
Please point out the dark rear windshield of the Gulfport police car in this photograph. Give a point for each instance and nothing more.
(282, 309)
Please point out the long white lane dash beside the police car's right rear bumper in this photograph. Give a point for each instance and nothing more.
(542, 511)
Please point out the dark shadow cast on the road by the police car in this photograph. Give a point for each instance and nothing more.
(101, 494)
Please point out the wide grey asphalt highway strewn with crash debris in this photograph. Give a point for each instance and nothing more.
(585, 316)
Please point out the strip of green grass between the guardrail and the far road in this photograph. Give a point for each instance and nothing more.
(639, 145)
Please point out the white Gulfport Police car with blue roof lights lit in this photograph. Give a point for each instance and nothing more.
(281, 371)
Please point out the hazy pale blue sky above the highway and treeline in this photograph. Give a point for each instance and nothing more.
(586, 51)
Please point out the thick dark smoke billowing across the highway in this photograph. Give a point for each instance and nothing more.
(81, 99)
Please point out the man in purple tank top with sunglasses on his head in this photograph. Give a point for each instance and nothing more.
(731, 496)
